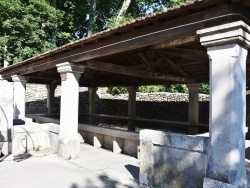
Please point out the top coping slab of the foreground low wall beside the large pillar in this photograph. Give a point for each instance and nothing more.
(174, 140)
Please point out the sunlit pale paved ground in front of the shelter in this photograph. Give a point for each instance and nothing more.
(92, 169)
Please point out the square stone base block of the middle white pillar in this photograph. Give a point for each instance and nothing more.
(68, 148)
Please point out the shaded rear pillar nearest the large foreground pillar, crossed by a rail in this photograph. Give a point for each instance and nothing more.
(193, 107)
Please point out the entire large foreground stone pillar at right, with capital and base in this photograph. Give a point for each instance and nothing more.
(227, 49)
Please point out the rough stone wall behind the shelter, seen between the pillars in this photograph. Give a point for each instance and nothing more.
(162, 105)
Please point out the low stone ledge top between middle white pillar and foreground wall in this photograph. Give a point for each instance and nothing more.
(109, 131)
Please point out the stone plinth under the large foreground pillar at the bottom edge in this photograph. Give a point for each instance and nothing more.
(208, 183)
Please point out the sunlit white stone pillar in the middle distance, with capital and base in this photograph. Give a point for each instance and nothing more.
(68, 141)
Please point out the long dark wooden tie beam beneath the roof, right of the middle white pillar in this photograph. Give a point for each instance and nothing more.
(117, 69)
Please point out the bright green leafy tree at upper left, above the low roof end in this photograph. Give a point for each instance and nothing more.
(27, 29)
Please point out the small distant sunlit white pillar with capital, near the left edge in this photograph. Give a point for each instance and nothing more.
(19, 96)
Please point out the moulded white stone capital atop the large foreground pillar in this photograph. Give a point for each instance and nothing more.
(232, 33)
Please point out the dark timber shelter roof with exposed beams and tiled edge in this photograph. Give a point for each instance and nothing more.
(159, 49)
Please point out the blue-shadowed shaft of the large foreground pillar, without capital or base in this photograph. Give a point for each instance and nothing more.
(227, 113)
